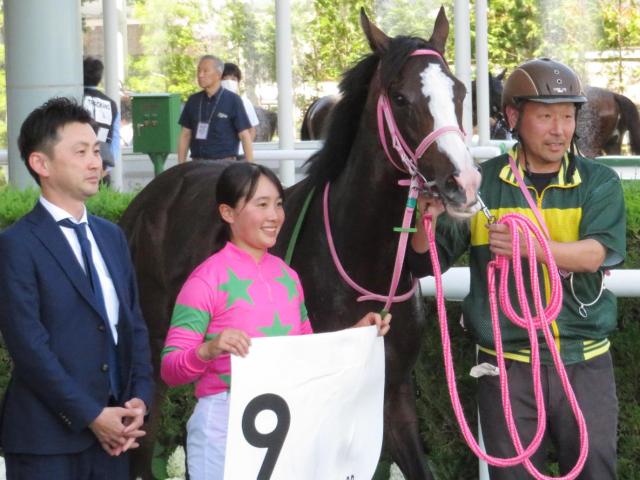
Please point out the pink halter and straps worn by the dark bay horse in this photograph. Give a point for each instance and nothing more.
(417, 182)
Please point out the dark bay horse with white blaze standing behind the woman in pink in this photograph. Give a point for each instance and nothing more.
(172, 223)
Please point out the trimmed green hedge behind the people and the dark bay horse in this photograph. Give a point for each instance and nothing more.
(448, 455)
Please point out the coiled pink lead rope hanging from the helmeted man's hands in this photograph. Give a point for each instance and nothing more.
(518, 224)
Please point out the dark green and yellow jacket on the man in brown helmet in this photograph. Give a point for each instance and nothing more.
(585, 200)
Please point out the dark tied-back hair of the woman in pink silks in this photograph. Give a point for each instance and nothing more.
(238, 182)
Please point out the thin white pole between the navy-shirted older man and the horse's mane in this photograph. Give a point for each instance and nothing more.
(284, 78)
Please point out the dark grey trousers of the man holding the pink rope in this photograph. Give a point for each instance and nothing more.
(594, 386)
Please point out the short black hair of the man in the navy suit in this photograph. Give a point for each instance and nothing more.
(40, 130)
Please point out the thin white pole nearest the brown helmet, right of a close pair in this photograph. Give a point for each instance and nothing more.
(482, 73)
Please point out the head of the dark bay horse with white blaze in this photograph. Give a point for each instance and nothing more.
(419, 112)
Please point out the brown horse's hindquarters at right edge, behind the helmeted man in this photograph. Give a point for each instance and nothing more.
(603, 121)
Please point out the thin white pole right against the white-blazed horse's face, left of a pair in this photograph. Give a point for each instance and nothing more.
(463, 59)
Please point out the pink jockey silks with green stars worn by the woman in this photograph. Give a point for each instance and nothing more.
(229, 290)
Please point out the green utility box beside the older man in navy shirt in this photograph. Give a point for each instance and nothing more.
(155, 126)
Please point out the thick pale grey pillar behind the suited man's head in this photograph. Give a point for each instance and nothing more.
(43, 42)
